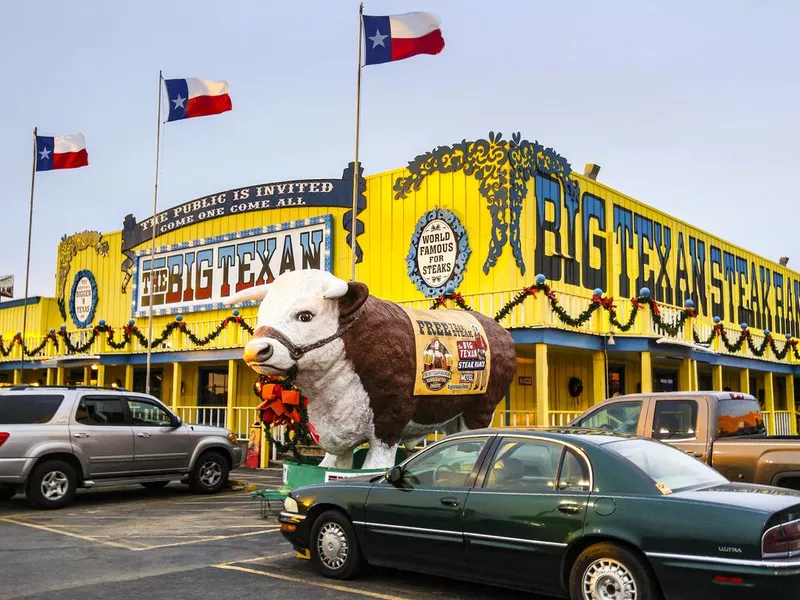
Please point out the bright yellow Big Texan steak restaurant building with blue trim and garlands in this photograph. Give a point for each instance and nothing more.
(603, 294)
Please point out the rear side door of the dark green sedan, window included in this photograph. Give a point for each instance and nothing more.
(525, 511)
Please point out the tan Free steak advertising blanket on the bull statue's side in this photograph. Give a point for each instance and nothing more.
(452, 353)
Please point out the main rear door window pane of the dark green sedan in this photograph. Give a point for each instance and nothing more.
(524, 465)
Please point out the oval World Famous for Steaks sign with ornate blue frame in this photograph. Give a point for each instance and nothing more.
(447, 281)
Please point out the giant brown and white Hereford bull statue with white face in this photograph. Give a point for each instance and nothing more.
(372, 370)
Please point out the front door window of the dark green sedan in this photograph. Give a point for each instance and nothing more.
(446, 466)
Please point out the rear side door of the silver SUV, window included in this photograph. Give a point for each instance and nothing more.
(101, 435)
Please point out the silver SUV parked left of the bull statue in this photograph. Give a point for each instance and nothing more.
(54, 440)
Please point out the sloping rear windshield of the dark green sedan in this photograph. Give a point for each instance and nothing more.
(669, 468)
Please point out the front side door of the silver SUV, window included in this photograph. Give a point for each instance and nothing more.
(158, 446)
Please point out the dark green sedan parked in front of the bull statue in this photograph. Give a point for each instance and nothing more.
(574, 513)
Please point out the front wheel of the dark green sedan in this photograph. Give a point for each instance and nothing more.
(334, 547)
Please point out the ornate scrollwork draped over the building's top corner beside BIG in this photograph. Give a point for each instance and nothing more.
(503, 169)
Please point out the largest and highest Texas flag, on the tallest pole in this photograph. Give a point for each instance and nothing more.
(401, 36)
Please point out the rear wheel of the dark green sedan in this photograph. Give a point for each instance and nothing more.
(615, 569)
